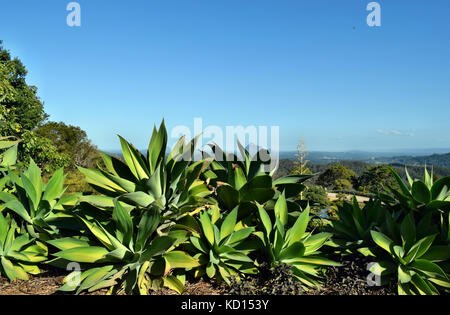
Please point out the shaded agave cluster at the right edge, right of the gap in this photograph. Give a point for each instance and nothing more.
(406, 233)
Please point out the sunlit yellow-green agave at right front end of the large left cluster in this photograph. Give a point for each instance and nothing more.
(294, 246)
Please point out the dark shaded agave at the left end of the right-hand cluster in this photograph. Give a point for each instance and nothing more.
(351, 229)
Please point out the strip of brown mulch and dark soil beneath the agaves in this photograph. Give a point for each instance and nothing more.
(351, 279)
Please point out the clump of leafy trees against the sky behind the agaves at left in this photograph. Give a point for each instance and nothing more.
(22, 115)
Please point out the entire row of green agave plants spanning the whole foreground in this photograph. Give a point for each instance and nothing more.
(158, 219)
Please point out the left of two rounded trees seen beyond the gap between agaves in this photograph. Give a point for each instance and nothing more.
(337, 177)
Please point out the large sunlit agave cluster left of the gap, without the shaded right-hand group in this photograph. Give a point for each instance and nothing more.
(156, 220)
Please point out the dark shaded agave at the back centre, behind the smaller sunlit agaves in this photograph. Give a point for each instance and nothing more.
(244, 182)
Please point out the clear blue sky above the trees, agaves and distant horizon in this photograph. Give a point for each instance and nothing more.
(314, 68)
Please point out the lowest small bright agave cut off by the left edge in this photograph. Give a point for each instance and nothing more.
(19, 253)
